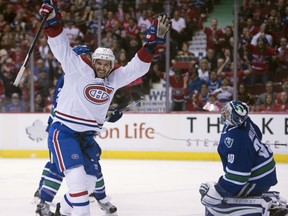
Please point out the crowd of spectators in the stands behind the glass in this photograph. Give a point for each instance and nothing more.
(198, 84)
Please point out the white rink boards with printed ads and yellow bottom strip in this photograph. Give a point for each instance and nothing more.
(175, 136)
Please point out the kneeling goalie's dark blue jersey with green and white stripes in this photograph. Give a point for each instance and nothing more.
(246, 161)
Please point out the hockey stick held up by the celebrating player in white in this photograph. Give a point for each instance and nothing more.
(22, 69)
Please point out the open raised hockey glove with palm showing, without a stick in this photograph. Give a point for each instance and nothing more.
(155, 35)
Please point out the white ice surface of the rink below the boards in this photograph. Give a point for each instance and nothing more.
(137, 187)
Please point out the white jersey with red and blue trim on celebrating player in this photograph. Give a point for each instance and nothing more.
(84, 99)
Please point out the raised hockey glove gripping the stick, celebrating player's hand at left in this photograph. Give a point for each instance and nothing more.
(50, 8)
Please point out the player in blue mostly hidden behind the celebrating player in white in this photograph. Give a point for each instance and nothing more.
(51, 179)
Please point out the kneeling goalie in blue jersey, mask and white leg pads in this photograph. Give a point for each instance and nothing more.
(249, 169)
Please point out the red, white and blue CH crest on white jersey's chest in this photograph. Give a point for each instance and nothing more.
(97, 94)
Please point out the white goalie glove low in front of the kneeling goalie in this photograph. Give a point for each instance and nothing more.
(209, 195)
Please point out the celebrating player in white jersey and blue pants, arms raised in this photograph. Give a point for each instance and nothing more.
(89, 86)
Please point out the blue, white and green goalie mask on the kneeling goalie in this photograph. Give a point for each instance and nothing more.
(234, 113)
